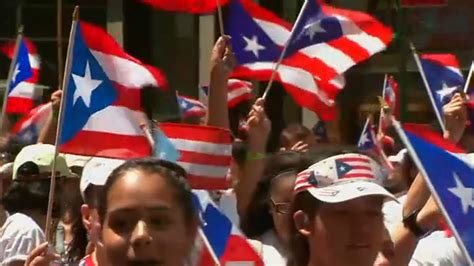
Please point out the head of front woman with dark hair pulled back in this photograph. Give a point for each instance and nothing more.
(147, 215)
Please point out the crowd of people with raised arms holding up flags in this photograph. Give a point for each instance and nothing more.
(302, 204)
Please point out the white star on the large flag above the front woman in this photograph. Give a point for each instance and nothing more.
(85, 86)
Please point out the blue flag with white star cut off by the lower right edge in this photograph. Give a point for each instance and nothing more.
(451, 182)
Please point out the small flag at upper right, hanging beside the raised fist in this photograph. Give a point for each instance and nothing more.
(444, 79)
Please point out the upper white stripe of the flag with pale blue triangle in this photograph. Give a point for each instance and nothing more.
(202, 147)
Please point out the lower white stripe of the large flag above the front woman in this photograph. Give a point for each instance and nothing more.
(116, 120)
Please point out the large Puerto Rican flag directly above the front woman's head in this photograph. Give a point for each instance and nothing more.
(102, 108)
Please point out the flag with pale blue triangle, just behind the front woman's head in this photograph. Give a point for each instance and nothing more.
(204, 152)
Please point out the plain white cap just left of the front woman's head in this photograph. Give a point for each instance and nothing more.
(96, 171)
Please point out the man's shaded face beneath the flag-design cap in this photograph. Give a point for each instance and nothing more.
(348, 233)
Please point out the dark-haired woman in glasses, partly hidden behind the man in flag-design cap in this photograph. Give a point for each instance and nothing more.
(266, 216)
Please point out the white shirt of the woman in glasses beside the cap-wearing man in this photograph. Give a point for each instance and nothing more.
(270, 249)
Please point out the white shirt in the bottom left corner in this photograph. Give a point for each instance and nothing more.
(19, 235)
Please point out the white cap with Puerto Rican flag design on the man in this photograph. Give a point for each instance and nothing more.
(343, 177)
